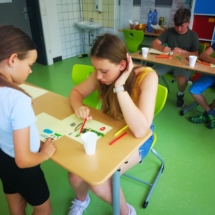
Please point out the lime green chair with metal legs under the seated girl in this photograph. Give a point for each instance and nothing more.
(160, 102)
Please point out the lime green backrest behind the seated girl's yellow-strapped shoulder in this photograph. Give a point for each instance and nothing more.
(160, 99)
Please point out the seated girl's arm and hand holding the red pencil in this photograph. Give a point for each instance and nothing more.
(79, 92)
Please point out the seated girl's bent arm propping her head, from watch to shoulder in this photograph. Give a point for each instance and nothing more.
(139, 118)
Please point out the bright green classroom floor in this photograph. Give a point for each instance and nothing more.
(187, 185)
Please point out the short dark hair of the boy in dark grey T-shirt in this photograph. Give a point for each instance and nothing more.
(182, 16)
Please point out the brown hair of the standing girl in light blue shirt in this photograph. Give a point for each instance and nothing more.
(13, 40)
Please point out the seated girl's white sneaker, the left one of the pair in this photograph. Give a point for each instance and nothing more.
(78, 206)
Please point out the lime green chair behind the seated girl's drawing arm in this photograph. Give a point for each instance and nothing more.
(80, 73)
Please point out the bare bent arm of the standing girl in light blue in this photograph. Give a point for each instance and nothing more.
(24, 158)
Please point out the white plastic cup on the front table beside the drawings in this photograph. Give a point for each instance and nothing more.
(89, 140)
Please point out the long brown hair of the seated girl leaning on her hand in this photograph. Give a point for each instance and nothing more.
(112, 48)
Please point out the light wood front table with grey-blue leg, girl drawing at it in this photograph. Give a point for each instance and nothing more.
(105, 163)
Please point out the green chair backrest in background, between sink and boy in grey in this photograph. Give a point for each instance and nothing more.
(133, 38)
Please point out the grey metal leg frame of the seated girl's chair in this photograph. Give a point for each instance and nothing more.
(149, 184)
